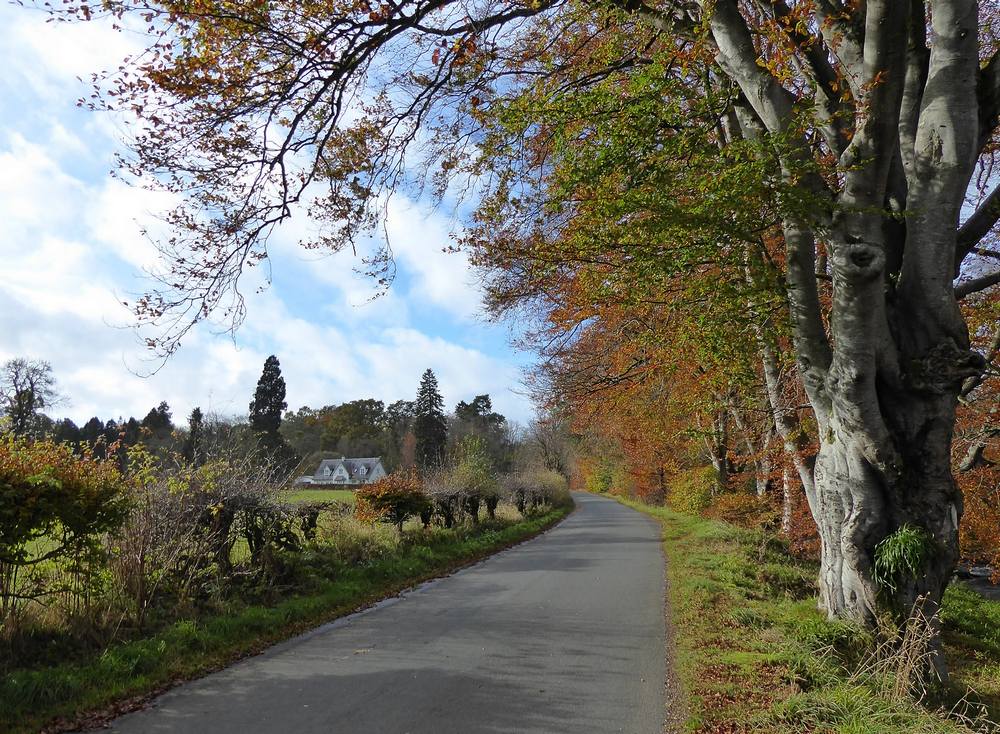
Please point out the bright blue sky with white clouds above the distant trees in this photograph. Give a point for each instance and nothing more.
(72, 252)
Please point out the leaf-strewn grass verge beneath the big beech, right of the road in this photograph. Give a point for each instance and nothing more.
(753, 654)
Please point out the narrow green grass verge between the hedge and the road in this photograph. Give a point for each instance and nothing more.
(87, 692)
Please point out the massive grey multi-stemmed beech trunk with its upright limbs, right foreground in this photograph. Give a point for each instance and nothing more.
(883, 363)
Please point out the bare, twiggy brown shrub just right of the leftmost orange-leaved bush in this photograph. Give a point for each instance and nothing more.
(184, 522)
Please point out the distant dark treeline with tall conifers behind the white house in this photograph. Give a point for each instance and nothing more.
(405, 433)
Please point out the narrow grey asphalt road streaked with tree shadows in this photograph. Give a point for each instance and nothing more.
(564, 633)
